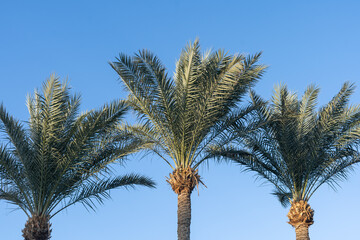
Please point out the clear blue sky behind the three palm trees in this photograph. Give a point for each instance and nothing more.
(303, 42)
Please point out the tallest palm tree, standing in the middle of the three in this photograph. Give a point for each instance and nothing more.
(185, 114)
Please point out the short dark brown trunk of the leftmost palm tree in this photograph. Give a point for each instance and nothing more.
(37, 228)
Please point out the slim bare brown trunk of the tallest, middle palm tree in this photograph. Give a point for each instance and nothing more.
(184, 215)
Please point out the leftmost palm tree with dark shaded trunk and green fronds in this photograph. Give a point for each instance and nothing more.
(62, 157)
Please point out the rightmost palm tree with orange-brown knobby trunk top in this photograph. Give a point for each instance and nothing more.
(298, 148)
